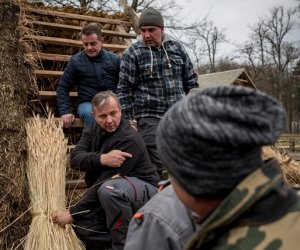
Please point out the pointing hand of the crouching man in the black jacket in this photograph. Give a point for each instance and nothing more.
(114, 158)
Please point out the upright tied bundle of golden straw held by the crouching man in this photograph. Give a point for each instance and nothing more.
(47, 158)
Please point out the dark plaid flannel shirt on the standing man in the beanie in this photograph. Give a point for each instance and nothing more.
(153, 79)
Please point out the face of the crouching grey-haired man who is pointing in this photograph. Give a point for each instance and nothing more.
(108, 116)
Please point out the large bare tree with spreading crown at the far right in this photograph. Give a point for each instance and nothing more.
(268, 46)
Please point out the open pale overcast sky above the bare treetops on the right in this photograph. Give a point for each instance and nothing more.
(234, 15)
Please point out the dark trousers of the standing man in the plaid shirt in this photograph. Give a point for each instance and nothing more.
(147, 128)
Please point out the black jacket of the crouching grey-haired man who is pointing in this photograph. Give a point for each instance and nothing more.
(95, 141)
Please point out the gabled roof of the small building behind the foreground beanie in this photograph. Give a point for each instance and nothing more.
(235, 77)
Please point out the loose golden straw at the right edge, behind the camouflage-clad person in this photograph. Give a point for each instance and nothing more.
(290, 167)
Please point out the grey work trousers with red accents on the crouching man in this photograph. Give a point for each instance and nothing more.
(119, 200)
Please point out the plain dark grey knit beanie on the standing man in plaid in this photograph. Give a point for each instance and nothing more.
(151, 17)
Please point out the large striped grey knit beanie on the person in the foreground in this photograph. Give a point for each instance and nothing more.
(211, 140)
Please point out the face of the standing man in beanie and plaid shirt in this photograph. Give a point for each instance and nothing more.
(152, 35)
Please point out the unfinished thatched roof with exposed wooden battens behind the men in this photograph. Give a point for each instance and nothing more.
(37, 43)
